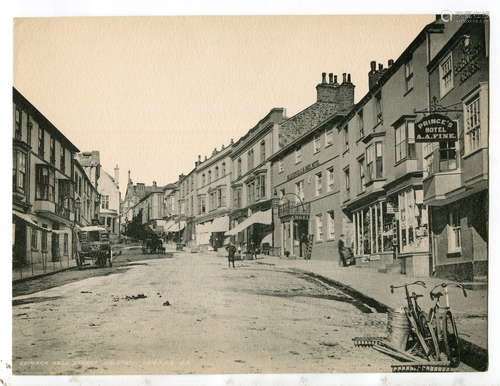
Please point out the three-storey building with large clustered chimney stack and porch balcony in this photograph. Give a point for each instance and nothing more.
(304, 173)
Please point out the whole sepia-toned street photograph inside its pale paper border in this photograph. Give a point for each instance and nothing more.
(347, 233)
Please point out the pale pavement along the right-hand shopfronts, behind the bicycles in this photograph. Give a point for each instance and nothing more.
(470, 313)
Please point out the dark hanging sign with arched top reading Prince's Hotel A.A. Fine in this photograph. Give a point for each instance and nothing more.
(435, 128)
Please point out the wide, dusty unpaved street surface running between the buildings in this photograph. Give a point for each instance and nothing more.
(190, 314)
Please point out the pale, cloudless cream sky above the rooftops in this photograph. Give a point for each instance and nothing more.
(153, 93)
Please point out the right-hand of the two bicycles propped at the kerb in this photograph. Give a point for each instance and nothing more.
(447, 334)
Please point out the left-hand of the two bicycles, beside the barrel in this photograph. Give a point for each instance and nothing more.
(418, 322)
